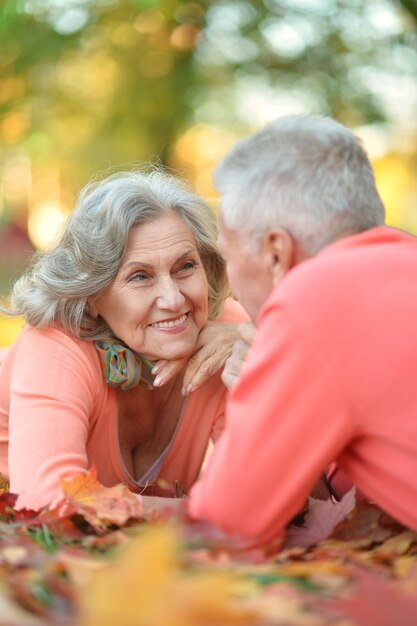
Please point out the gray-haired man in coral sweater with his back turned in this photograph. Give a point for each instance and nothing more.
(331, 373)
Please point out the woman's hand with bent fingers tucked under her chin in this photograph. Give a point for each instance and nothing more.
(214, 346)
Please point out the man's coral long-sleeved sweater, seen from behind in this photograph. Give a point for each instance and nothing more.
(331, 376)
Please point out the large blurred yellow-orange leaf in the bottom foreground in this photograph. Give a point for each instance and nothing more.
(145, 586)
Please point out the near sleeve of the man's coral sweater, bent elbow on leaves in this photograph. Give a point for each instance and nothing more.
(285, 421)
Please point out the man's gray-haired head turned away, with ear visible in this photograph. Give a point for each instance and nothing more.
(287, 191)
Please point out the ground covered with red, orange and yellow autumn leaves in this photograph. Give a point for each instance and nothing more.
(96, 562)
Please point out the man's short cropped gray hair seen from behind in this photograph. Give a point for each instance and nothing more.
(306, 174)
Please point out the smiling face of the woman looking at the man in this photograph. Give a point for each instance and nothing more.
(158, 302)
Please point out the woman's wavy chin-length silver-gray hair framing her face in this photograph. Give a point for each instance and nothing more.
(88, 255)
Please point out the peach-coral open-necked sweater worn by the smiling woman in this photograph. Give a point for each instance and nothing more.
(58, 417)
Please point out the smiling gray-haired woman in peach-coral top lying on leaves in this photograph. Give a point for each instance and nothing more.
(132, 281)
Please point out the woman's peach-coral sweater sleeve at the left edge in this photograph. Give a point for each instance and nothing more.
(51, 404)
